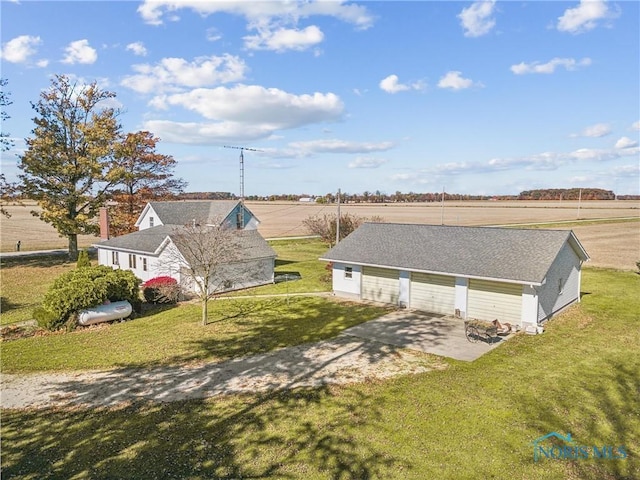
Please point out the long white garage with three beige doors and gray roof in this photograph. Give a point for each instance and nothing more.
(521, 276)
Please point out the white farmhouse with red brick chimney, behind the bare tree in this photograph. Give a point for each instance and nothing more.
(151, 251)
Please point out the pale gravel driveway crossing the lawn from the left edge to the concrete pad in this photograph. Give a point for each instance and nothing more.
(344, 359)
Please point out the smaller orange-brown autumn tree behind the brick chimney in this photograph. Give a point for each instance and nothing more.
(144, 175)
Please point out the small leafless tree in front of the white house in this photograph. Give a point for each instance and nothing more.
(210, 259)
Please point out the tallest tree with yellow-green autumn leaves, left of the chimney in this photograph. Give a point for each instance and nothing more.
(69, 164)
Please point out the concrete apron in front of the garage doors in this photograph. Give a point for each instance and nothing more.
(430, 333)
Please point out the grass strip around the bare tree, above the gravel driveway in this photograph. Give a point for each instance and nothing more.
(237, 327)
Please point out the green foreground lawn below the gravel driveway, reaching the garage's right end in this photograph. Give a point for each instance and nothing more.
(471, 420)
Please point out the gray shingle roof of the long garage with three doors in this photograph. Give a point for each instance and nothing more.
(517, 255)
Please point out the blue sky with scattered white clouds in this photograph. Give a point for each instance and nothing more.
(476, 97)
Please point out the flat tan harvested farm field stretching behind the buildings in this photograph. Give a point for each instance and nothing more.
(609, 230)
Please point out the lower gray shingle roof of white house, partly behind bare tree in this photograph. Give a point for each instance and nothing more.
(149, 240)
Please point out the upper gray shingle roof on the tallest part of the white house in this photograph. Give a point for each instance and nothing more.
(206, 212)
